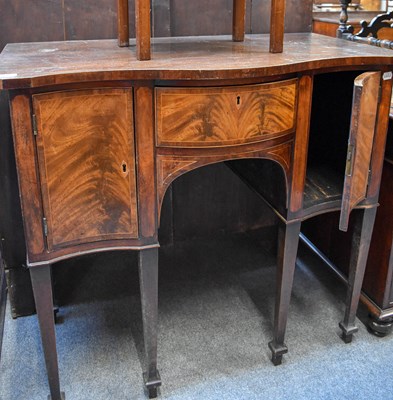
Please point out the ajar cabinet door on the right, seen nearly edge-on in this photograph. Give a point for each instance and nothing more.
(360, 143)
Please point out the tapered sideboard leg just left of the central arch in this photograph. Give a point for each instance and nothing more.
(148, 276)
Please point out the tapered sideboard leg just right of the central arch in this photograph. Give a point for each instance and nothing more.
(288, 241)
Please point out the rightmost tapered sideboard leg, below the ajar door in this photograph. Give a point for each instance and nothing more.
(359, 251)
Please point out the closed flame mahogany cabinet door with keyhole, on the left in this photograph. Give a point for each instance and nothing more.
(86, 157)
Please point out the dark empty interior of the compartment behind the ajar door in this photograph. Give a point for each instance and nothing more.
(328, 138)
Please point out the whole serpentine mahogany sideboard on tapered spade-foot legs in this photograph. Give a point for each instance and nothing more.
(100, 136)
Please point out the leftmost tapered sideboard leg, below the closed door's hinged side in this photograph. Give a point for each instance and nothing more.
(42, 289)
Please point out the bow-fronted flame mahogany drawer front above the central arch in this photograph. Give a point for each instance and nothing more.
(200, 117)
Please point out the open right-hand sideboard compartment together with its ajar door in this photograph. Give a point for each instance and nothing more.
(342, 128)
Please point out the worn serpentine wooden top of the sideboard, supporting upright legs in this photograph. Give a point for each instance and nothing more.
(29, 65)
